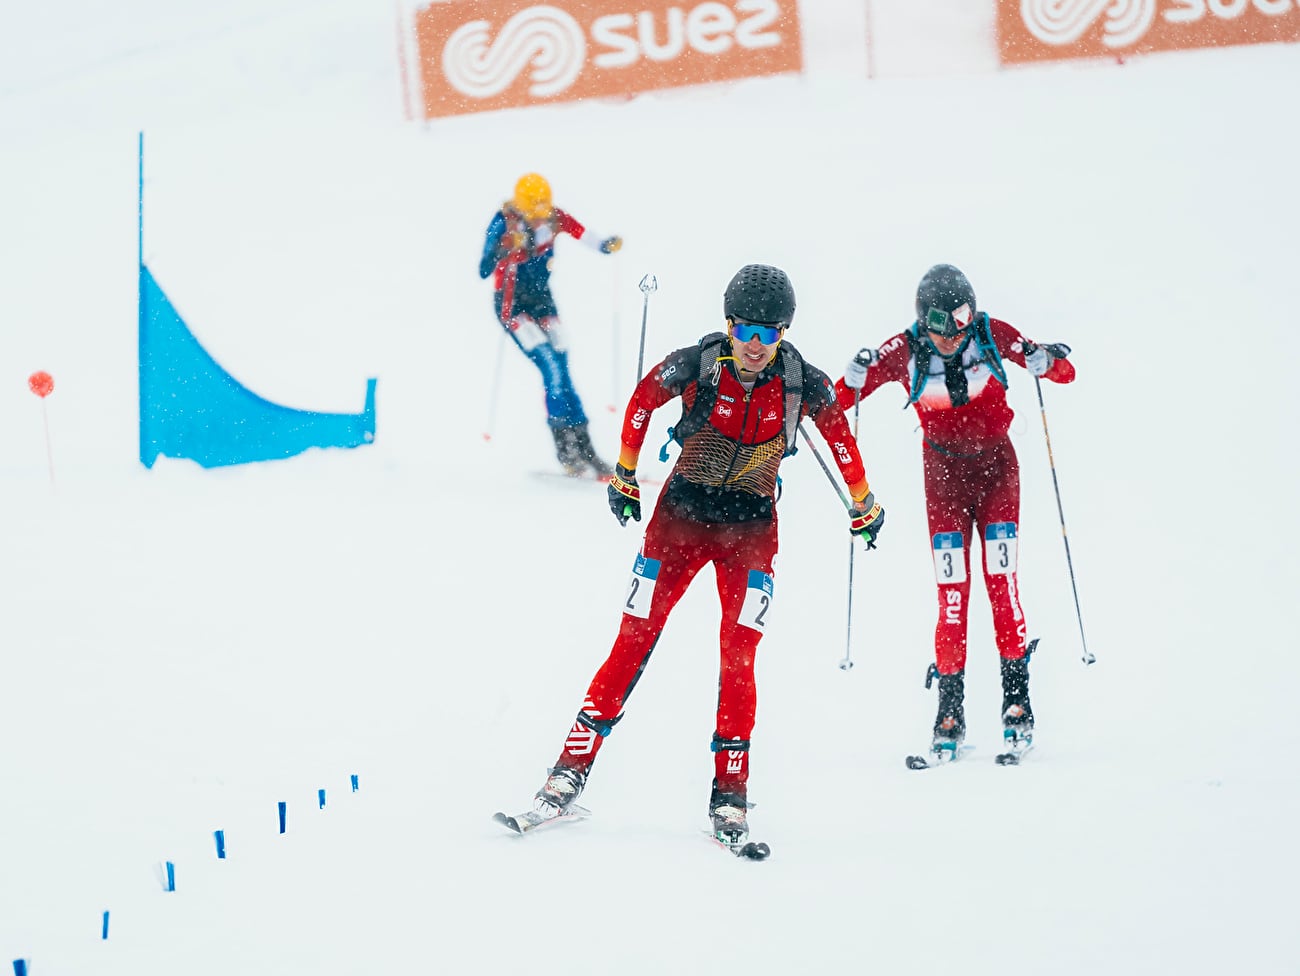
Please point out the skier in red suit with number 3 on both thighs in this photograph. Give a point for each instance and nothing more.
(952, 363)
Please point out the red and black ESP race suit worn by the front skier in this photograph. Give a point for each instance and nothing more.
(718, 506)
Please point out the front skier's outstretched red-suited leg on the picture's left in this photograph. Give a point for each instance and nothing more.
(670, 559)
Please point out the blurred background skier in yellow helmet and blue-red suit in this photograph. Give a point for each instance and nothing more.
(518, 251)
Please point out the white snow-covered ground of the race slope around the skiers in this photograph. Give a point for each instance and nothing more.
(181, 650)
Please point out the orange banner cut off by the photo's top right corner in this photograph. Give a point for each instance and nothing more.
(1054, 31)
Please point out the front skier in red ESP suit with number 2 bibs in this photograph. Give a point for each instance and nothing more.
(743, 397)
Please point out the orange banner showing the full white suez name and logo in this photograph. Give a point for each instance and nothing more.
(484, 55)
